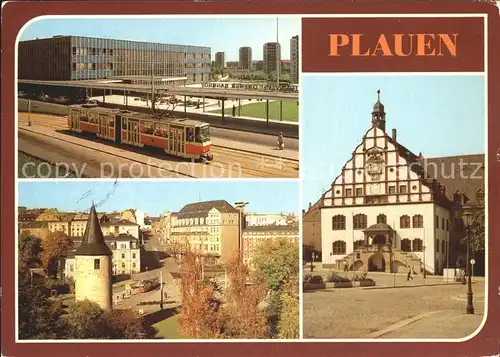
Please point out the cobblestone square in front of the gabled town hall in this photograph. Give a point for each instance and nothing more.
(410, 310)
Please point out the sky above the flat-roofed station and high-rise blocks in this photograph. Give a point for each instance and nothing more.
(221, 34)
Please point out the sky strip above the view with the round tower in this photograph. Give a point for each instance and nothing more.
(155, 197)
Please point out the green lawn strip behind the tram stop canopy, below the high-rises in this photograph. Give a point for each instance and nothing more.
(258, 110)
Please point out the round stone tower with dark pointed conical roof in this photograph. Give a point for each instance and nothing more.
(93, 266)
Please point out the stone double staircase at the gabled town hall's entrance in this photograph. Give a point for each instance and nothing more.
(389, 260)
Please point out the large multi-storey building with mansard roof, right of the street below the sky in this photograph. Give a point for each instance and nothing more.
(210, 227)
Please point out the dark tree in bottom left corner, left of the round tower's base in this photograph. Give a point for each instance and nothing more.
(39, 317)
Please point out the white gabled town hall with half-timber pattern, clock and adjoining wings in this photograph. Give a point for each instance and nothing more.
(390, 209)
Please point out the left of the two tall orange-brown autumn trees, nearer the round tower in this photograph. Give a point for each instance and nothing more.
(201, 315)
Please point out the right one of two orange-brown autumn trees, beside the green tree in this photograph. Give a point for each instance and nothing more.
(245, 316)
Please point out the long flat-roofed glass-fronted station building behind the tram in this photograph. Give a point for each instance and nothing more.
(68, 58)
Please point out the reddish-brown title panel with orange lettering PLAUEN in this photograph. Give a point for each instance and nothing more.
(454, 44)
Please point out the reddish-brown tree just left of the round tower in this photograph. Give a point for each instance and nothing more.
(55, 247)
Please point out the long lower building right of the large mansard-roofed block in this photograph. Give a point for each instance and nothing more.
(253, 236)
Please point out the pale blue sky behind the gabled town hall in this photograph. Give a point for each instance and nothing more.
(437, 115)
